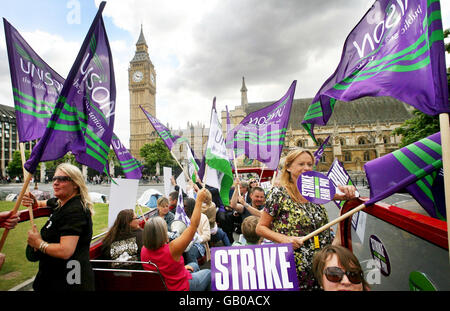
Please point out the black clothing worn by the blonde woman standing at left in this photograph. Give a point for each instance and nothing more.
(75, 273)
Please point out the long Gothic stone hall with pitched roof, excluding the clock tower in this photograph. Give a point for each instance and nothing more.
(361, 130)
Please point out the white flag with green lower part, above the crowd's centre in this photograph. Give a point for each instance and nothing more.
(218, 173)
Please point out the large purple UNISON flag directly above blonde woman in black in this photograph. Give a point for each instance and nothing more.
(83, 119)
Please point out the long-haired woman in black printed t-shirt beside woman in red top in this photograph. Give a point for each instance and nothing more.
(123, 242)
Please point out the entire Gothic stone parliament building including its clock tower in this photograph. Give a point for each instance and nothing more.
(360, 130)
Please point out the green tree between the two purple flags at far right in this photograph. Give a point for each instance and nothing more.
(420, 126)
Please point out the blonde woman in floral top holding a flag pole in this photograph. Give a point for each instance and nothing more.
(288, 216)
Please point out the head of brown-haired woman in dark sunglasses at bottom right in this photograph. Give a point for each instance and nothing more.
(337, 269)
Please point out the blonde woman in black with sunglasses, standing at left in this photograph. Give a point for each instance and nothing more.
(62, 246)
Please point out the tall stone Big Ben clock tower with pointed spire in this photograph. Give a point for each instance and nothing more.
(142, 87)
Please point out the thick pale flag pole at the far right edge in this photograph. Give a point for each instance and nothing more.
(445, 143)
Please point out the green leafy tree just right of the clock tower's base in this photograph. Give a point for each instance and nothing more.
(154, 153)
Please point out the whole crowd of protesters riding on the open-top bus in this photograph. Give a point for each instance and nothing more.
(253, 216)
